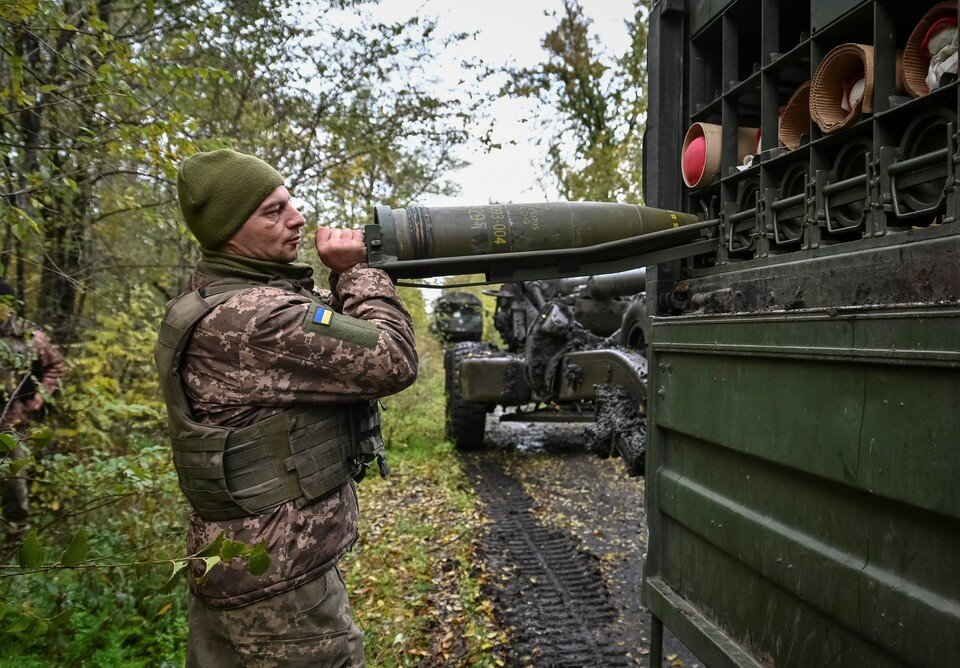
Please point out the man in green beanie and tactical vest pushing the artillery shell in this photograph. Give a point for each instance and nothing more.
(271, 389)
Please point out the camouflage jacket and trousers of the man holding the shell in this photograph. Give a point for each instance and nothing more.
(247, 360)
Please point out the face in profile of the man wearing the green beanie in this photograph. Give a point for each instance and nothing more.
(272, 232)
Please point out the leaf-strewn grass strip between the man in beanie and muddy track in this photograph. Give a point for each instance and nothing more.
(415, 576)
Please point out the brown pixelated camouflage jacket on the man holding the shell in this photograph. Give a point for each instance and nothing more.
(251, 358)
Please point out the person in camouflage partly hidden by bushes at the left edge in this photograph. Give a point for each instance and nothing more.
(30, 372)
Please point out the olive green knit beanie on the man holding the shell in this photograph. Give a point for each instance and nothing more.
(220, 190)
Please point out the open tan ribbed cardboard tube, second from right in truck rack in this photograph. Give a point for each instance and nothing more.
(843, 64)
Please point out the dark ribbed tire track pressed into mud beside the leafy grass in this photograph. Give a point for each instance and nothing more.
(550, 593)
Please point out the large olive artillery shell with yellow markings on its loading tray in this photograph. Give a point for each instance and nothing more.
(519, 242)
